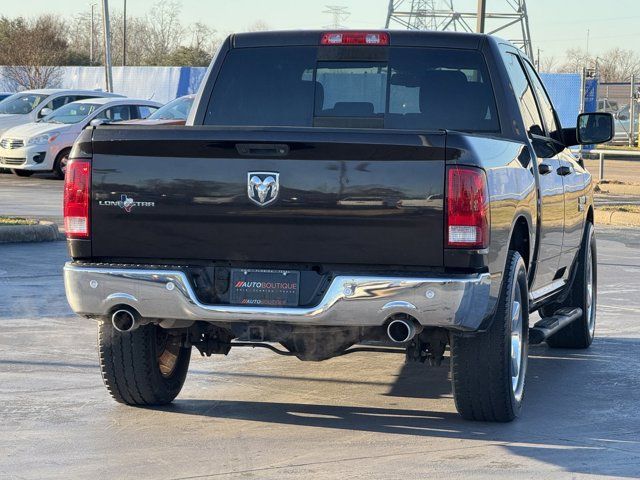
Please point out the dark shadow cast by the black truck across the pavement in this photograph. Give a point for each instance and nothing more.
(581, 410)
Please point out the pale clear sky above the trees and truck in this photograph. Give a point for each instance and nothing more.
(556, 25)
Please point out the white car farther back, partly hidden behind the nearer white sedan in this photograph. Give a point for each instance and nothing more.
(32, 105)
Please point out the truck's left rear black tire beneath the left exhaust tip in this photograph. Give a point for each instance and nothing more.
(146, 366)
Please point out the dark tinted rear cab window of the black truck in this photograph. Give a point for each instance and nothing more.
(411, 88)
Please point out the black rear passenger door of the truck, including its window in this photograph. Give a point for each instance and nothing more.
(551, 187)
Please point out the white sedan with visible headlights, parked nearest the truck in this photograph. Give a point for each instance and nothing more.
(45, 145)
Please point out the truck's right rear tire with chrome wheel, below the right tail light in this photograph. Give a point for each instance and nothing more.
(488, 369)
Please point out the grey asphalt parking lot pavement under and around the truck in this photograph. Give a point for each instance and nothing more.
(256, 415)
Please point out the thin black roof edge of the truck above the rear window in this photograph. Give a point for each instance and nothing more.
(404, 38)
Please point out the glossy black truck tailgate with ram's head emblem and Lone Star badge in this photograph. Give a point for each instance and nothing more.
(352, 197)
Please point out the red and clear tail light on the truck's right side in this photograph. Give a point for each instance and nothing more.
(467, 208)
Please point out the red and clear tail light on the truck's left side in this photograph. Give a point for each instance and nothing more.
(77, 195)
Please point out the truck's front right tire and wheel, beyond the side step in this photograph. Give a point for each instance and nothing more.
(583, 294)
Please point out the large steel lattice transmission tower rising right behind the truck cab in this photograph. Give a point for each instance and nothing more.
(512, 21)
